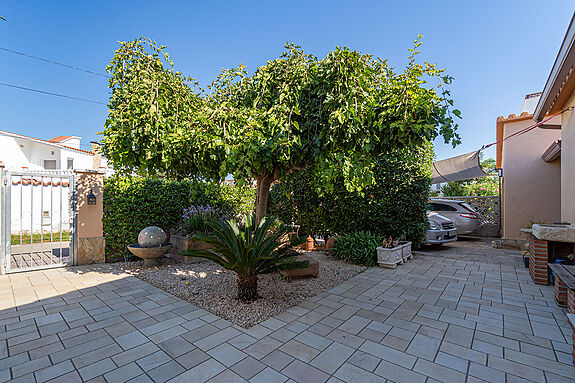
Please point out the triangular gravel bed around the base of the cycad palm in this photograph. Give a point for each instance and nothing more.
(213, 288)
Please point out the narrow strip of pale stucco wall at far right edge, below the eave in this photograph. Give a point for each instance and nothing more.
(568, 163)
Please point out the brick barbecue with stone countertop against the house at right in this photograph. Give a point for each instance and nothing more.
(547, 244)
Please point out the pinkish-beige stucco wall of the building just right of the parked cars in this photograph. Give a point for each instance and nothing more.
(531, 186)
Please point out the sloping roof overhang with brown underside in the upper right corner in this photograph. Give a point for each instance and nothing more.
(561, 81)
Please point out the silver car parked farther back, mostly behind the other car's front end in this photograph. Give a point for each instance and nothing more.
(466, 219)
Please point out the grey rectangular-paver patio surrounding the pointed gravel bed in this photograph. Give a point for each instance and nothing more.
(455, 314)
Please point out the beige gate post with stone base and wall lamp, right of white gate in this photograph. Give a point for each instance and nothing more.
(90, 234)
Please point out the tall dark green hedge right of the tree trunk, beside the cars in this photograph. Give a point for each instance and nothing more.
(394, 206)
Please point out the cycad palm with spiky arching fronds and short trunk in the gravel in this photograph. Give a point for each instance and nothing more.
(249, 249)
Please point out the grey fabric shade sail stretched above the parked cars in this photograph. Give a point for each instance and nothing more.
(463, 167)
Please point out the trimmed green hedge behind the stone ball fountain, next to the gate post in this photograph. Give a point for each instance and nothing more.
(133, 203)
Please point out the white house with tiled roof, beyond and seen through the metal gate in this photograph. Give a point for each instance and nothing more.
(41, 203)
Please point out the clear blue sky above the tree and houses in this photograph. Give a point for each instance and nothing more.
(497, 51)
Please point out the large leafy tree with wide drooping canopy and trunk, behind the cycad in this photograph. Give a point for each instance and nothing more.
(333, 115)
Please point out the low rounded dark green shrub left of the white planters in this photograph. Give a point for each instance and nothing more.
(359, 247)
